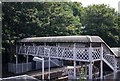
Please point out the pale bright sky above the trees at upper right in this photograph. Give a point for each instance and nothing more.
(111, 3)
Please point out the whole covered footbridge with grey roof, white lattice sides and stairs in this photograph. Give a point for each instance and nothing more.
(84, 49)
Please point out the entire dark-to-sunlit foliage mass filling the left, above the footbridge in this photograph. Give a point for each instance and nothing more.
(22, 20)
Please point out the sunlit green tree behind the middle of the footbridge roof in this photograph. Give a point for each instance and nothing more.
(58, 19)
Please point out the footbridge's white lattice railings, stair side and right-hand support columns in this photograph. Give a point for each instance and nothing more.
(86, 54)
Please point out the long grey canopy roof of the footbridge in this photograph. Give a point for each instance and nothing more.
(63, 39)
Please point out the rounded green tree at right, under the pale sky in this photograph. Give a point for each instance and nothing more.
(100, 20)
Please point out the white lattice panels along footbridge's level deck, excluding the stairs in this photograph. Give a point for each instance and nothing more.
(82, 54)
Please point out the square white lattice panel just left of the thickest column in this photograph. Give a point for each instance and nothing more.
(82, 54)
